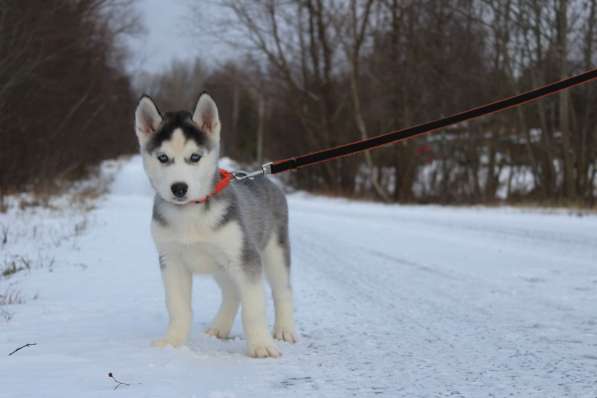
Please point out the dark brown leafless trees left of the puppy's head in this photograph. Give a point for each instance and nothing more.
(65, 99)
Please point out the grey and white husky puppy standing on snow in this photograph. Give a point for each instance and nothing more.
(236, 235)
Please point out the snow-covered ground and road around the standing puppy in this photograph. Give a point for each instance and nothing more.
(397, 301)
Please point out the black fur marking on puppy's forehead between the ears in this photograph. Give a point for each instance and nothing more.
(182, 120)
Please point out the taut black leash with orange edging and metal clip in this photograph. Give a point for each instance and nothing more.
(392, 137)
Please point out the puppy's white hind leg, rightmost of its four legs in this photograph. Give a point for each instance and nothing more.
(276, 259)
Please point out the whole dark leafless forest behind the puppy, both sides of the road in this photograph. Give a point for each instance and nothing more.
(311, 74)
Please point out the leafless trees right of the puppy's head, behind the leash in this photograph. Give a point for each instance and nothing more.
(328, 72)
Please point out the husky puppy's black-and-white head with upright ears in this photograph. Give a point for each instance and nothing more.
(180, 150)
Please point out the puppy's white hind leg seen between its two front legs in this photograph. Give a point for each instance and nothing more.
(222, 323)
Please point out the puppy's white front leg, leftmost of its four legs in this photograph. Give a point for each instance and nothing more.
(178, 282)
